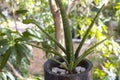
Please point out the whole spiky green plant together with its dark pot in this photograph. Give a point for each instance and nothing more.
(71, 60)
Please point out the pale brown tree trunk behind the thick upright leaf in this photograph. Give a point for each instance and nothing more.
(59, 33)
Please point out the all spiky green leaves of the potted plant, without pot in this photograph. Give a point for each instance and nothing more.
(69, 54)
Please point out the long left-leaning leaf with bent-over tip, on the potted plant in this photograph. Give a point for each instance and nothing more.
(27, 21)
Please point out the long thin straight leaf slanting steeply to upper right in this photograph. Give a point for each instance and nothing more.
(87, 32)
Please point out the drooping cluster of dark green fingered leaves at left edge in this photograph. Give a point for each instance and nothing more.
(11, 44)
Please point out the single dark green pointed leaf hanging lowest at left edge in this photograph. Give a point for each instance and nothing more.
(5, 58)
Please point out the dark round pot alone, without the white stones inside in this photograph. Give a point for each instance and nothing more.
(49, 75)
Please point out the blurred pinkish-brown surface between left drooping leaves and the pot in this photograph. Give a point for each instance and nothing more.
(36, 66)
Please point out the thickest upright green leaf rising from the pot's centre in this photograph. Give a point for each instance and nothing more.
(68, 35)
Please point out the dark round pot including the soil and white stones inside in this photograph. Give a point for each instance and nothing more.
(54, 71)
